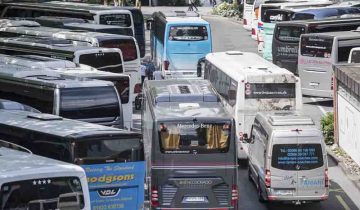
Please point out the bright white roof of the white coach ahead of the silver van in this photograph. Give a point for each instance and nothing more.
(246, 66)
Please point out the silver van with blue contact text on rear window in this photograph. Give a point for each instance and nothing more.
(287, 158)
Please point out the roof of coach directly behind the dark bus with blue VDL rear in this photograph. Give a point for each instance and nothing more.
(47, 78)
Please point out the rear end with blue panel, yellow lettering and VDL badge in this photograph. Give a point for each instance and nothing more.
(115, 171)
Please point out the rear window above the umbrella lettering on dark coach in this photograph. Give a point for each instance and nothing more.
(289, 33)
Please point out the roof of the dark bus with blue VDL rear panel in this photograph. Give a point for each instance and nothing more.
(60, 127)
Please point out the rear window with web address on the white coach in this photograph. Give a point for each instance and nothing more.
(270, 96)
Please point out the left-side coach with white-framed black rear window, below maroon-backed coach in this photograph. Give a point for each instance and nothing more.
(106, 59)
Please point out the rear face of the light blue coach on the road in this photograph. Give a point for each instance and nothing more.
(186, 44)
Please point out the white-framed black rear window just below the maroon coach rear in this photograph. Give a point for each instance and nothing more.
(108, 61)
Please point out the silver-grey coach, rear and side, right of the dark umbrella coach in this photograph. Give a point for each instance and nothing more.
(318, 53)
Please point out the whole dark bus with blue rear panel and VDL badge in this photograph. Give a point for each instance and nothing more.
(113, 159)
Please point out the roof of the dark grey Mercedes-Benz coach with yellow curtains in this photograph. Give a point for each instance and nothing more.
(174, 99)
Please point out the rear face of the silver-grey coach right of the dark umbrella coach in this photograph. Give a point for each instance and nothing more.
(315, 60)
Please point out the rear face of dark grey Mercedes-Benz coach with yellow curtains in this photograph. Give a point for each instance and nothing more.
(195, 166)
